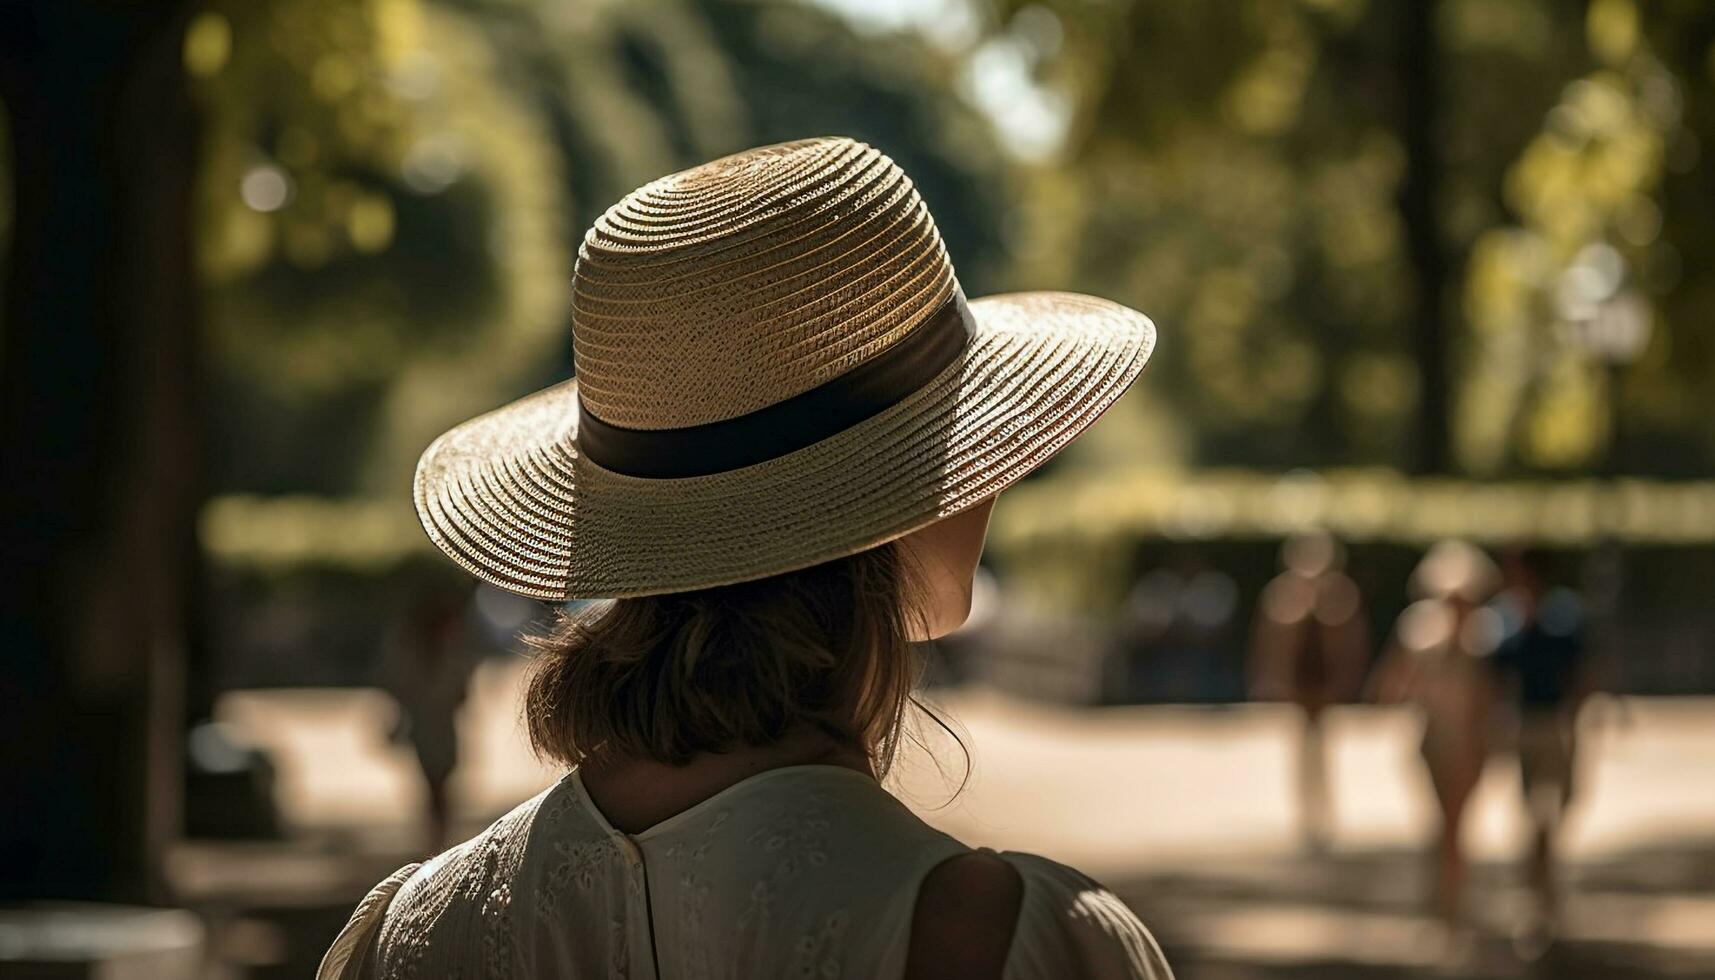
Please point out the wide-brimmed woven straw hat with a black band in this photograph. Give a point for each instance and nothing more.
(776, 368)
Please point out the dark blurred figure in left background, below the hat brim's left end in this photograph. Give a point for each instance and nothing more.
(428, 662)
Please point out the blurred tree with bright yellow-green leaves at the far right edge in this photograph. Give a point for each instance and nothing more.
(1586, 303)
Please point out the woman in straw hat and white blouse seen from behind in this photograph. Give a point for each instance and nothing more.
(779, 459)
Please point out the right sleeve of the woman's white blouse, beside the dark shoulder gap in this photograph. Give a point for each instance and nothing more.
(1069, 926)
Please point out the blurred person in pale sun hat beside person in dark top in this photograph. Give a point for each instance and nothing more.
(1438, 662)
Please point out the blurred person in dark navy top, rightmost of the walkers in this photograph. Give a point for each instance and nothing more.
(1544, 677)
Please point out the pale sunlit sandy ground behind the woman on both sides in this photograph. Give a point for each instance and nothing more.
(1188, 813)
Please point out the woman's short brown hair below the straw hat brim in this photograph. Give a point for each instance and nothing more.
(670, 677)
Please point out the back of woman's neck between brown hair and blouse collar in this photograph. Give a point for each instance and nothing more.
(637, 794)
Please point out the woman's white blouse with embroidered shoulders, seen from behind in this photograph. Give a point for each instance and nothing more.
(807, 871)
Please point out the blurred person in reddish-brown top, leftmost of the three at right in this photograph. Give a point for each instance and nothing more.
(1311, 648)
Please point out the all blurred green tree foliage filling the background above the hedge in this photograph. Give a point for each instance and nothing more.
(394, 193)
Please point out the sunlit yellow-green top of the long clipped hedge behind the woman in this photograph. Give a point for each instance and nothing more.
(1105, 509)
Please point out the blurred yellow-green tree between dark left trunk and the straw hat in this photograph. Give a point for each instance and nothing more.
(383, 236)
